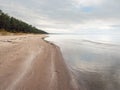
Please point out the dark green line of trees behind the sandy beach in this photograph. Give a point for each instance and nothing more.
(14, 25)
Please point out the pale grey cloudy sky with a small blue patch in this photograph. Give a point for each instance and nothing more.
(68, 16)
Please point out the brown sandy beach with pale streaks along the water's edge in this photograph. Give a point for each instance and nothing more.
(28, 62)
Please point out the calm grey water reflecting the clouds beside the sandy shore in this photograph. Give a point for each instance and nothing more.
(94, 60)
